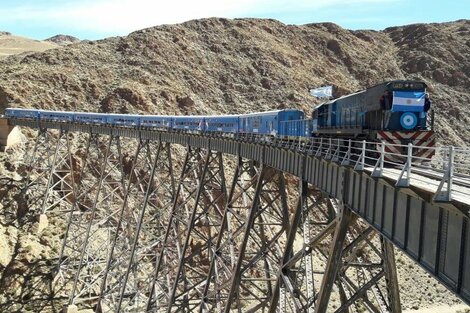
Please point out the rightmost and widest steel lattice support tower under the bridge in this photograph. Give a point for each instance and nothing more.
(360, 263)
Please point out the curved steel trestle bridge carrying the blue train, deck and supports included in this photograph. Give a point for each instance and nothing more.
(301, 226)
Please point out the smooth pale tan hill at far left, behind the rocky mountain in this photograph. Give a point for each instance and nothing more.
(12, 45)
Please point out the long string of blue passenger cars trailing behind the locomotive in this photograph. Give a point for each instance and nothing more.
(263, 123)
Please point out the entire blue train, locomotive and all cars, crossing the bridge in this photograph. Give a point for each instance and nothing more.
(394, 112)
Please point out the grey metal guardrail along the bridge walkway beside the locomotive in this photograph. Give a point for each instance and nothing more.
(450, 165)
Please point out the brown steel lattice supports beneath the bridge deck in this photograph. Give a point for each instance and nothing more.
(139, 239)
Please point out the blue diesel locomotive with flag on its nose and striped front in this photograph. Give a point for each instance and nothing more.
(395, 112)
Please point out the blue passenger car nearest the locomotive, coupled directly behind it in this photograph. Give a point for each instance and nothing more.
(268, 123)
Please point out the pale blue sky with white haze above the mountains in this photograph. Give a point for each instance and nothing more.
(96, 19)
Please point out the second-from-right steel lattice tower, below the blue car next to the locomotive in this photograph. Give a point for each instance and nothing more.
(259, 240)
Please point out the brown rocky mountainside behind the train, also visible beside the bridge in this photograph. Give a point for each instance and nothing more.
(227, 66)
